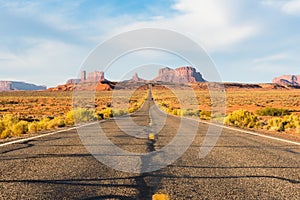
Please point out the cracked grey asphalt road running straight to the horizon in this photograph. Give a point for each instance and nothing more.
(59, 166)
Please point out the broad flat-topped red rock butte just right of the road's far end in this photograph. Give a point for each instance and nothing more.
(179, 75)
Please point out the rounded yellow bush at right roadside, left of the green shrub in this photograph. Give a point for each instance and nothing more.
(242, 118)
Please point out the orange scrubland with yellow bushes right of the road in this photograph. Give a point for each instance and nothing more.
(272, 110)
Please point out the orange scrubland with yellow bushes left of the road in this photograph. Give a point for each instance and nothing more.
(30, 112)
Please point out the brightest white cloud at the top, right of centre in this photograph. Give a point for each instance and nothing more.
(212, 23)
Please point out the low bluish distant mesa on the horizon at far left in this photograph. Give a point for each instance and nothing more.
(15, 85)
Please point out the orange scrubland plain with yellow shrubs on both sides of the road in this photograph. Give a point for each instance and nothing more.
(273, 110)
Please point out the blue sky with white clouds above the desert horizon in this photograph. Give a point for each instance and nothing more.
(45, 42)
